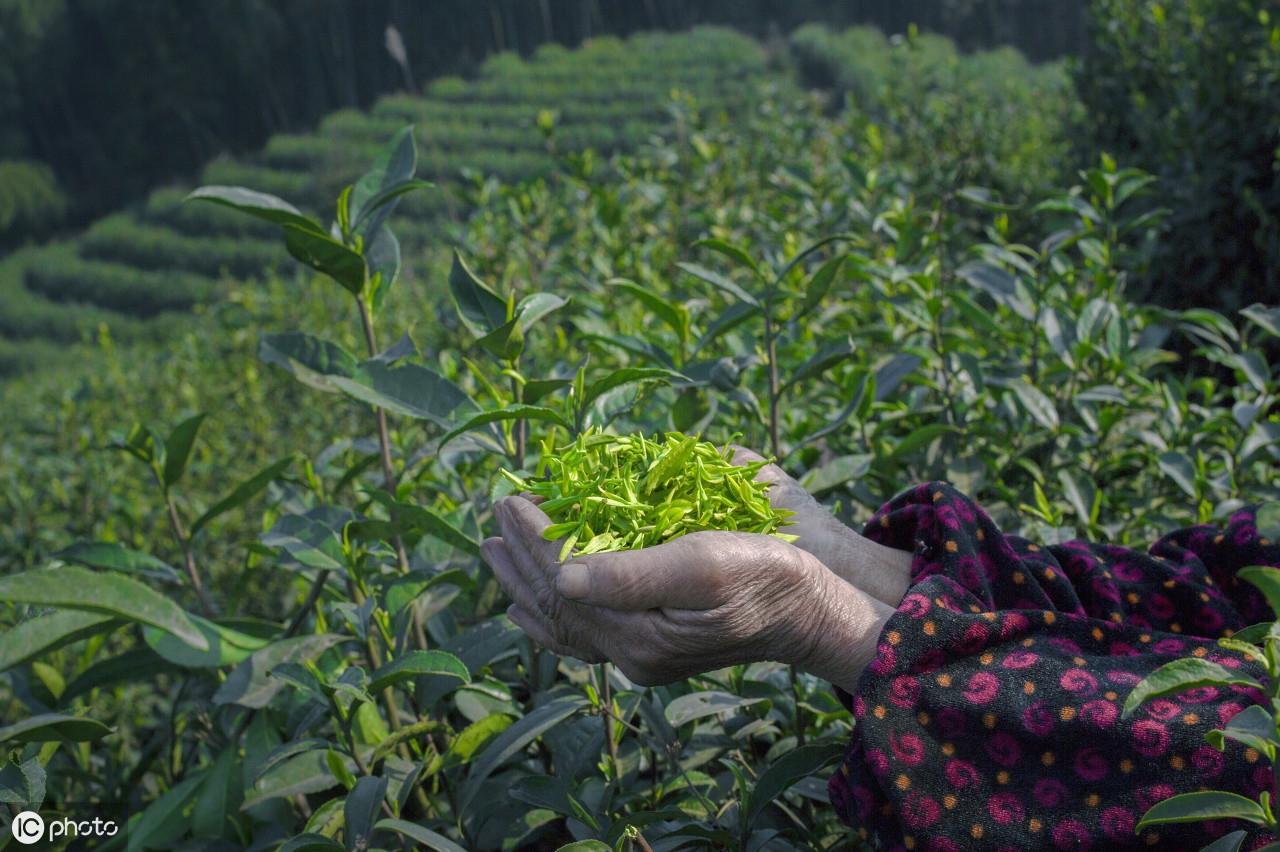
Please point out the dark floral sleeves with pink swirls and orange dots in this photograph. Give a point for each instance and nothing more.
(990, 718)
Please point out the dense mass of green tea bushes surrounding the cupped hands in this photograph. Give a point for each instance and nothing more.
(781, 277)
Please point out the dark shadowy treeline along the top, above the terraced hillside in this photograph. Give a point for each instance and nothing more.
(120, 95)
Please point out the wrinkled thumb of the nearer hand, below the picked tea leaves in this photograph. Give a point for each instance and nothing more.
(684, 574)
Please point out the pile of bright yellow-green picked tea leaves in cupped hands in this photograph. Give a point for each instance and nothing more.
(607, 493)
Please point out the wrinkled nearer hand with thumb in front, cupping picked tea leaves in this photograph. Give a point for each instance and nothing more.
(703, 602)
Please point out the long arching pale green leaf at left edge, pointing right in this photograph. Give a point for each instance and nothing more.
(116, 596)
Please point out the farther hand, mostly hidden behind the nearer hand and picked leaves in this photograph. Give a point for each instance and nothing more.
(881, 572)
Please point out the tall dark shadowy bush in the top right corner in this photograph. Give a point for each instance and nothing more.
(1181, 90)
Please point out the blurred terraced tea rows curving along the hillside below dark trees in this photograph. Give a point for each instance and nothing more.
(139, 272)
